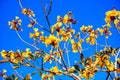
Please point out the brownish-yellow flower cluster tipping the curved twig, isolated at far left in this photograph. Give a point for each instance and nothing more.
(15, 24)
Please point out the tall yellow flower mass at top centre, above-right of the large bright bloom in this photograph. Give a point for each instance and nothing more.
(60, 30)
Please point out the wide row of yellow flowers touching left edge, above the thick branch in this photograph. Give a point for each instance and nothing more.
(17, 56)
